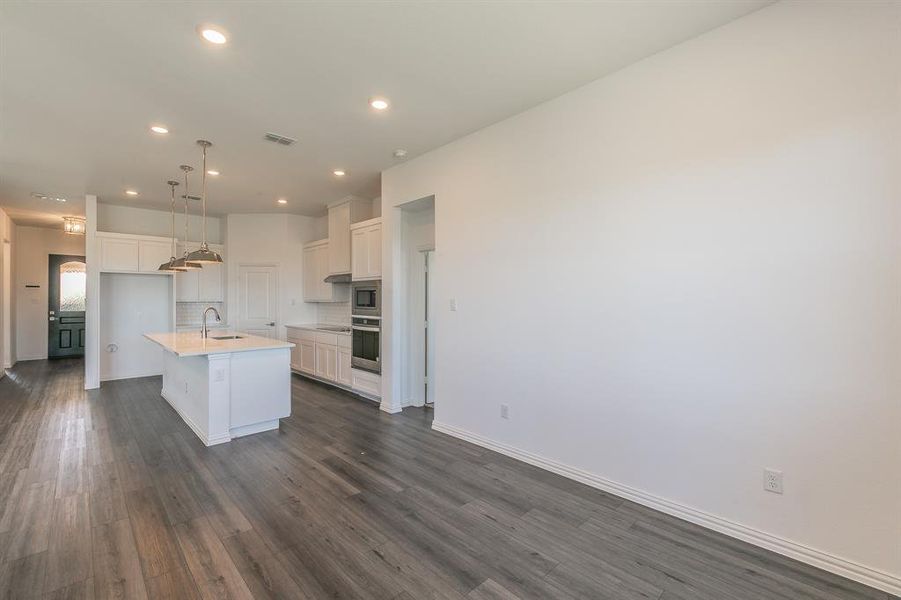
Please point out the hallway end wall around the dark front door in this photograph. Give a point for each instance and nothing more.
(33, 246)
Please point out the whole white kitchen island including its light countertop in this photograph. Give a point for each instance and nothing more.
(226, 388)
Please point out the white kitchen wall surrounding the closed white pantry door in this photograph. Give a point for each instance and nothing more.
(277, 240)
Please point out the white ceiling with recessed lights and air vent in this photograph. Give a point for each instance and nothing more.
(81, 82)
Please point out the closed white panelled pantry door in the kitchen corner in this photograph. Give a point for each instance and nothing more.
(258, 299)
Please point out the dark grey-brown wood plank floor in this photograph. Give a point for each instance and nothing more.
(108, 494)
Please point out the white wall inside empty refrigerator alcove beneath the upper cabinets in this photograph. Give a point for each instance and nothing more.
(130, 306)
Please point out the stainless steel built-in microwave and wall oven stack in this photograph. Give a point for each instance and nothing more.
(366, 325)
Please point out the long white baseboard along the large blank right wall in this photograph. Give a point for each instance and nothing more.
(823, 560)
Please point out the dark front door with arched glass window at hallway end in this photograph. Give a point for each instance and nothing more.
(66, 303)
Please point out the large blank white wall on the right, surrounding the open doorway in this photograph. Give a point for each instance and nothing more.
(686, 272)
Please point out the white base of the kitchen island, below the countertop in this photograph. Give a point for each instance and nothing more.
(224, 396)
